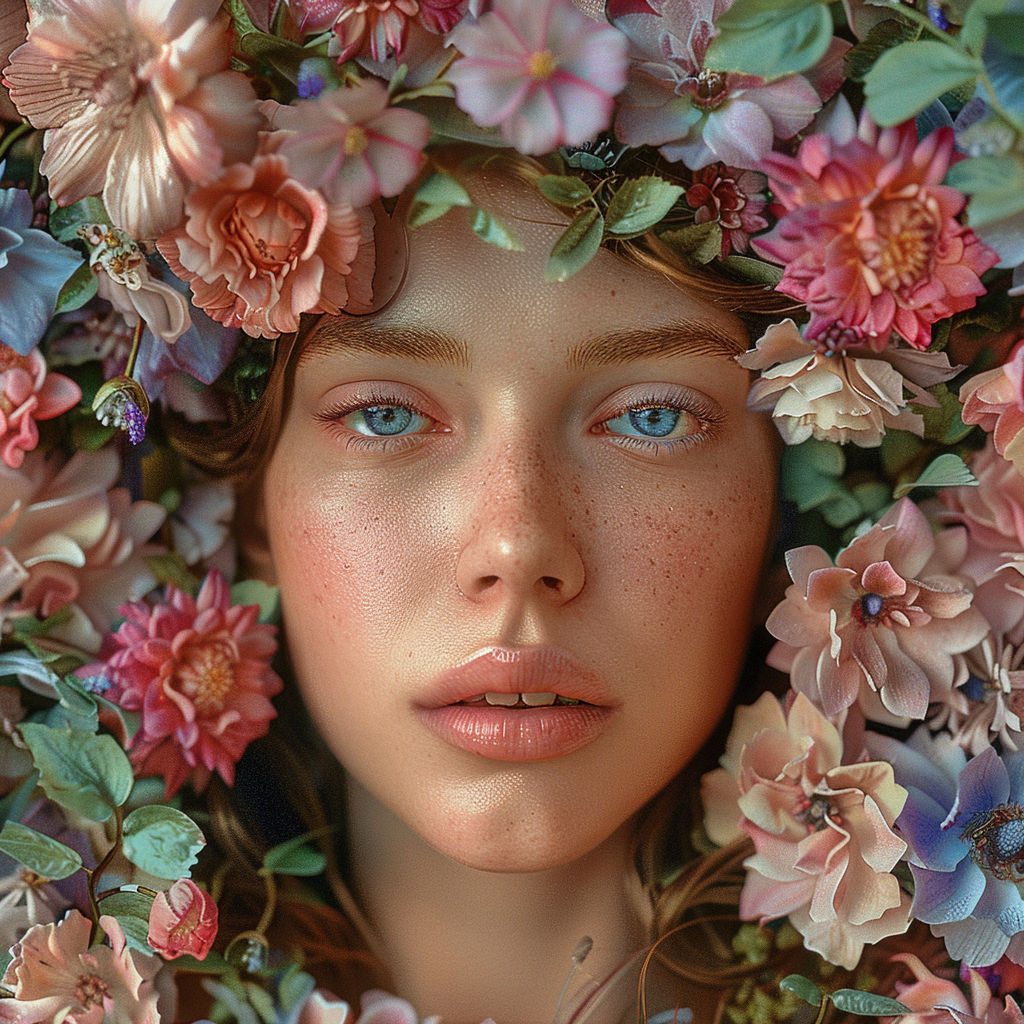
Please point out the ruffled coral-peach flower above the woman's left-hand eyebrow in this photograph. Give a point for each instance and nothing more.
(260, 249)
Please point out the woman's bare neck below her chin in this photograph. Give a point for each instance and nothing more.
(471, 945)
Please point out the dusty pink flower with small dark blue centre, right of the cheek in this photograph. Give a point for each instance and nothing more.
(886, 619)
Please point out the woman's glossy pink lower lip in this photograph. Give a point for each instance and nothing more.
(521, 734)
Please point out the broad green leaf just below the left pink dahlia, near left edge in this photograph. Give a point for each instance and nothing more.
(82, 773)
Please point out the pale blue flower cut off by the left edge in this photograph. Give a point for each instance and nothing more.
(33, 270)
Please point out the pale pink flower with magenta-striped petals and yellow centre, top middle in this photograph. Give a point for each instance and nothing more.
(542, 70)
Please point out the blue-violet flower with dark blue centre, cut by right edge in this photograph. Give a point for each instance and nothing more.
(964, 822)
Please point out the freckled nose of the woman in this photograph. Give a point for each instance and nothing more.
(520, 544)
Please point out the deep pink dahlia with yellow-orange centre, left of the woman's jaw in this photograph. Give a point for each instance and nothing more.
(200, 673)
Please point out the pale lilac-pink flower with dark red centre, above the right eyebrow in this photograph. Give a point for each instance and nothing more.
(694, 113)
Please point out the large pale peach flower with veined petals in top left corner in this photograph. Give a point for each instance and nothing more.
(142, 104)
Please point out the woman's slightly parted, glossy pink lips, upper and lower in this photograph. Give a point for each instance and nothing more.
(526, 734)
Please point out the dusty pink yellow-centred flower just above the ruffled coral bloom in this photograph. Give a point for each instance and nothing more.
(350, 144)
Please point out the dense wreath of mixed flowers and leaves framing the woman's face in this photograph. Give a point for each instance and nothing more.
(186, 175)
